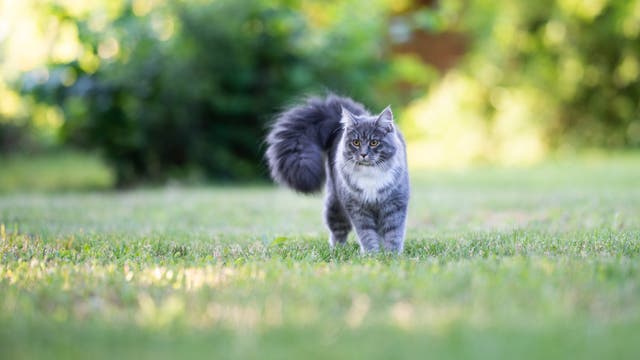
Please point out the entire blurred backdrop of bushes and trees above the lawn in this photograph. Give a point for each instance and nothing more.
(115, 93)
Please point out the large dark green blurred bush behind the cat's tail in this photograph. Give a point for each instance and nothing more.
(188, 88)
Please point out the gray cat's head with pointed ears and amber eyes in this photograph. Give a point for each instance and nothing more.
(369, 140)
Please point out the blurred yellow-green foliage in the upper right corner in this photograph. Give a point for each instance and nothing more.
(580, 59)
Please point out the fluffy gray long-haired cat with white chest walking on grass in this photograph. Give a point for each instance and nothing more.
(364, 155)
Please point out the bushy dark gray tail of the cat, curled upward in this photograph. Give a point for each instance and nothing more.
(300, 138)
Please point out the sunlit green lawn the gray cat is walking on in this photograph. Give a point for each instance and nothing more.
(530, 263)
